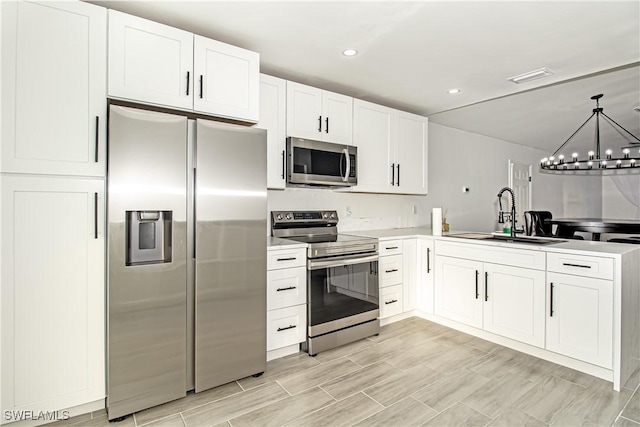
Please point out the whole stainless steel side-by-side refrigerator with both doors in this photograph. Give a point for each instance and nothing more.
(187, 256)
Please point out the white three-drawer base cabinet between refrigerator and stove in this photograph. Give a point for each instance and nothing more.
(286, 301)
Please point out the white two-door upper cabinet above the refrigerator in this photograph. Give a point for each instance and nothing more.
(157, 64)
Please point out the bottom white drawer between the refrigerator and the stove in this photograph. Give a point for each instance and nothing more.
(286, 326)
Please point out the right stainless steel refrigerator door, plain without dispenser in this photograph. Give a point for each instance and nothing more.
(231, 233)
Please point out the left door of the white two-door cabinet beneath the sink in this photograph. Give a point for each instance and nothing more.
(458, 293)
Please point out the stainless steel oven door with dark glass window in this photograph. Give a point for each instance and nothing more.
(342, 292)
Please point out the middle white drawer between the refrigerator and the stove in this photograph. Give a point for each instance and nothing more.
(286, 287)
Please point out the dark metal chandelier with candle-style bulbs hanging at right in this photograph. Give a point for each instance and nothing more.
(626, 159)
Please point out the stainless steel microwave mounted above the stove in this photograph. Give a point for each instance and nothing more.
(321, 163)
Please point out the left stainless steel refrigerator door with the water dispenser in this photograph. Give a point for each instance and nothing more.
(147, 259)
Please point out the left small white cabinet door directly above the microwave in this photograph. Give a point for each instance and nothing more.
(304, 111)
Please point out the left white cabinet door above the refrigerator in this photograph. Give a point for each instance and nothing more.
(150, 62)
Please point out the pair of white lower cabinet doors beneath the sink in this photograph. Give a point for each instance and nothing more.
(505, 300)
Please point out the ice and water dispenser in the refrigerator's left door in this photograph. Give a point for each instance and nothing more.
(148, 237)
